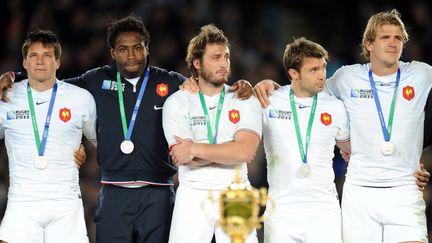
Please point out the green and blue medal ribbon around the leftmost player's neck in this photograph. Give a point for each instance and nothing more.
(40, 146)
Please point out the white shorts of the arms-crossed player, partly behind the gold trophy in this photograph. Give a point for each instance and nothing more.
(194, 221)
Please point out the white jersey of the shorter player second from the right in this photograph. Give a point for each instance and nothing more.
(330, 123)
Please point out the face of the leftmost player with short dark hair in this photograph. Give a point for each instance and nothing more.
(40, 62)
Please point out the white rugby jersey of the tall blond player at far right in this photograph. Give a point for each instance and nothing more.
(368, 166)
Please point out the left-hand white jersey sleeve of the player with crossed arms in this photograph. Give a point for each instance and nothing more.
(175, 118)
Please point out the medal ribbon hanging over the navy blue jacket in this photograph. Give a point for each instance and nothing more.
(127, 132)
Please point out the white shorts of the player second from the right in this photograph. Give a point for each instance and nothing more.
(305, 227)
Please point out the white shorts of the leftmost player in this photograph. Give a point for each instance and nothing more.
(43, 224)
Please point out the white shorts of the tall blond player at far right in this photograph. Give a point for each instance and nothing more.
(394, 214)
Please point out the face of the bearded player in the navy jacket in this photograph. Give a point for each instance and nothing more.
(130, 53)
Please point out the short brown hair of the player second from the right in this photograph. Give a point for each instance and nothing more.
(297, 50)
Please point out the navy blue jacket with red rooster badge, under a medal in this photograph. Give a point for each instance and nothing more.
(150, 160)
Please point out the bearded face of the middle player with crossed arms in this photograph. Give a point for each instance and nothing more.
(215, 65)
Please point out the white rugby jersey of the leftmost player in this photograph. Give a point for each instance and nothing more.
(74, 113)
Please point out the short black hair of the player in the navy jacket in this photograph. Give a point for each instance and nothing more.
(129, 23)
